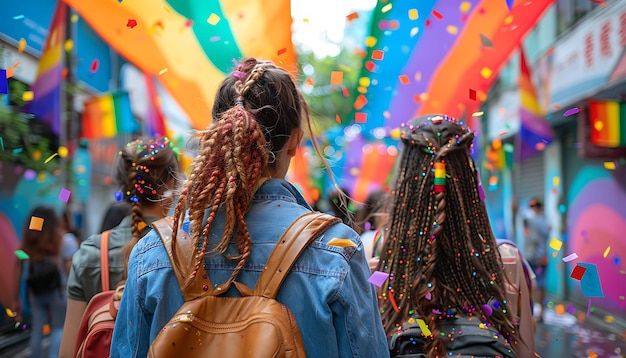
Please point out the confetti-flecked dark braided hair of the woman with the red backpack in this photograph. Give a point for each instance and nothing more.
(146, 171)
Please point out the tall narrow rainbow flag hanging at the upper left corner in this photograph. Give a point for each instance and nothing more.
(46, 103)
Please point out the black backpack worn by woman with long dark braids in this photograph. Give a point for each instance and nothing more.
(470, 340)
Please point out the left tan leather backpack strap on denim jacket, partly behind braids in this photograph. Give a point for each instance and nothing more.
(182, 262)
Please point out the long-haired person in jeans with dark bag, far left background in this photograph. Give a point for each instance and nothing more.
(42, 241)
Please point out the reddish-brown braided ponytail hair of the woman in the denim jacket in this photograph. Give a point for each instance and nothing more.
(255, 111)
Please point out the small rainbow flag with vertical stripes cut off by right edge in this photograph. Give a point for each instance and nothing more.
(608, 123)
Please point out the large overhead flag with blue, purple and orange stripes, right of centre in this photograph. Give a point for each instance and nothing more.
(438, 56)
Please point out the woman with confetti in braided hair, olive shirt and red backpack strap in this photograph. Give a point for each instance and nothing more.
(146, 172)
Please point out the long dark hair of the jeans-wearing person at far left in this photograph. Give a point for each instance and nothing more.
(45, 242)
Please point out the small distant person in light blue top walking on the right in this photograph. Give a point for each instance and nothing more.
(537, 230)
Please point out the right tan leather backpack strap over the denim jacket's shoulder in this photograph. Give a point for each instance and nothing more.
(292, 243)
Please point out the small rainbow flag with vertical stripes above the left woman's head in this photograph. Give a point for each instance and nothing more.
(107, 116)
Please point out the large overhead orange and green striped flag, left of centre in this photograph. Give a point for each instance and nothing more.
(190, 45)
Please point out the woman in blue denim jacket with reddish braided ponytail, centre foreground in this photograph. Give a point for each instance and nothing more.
(235, 206)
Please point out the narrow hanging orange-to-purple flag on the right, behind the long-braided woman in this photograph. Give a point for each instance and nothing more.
(535, 132)
